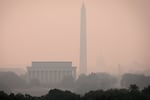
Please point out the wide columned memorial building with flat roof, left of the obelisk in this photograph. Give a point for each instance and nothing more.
(51, 72)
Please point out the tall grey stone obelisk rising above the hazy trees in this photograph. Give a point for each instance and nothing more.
(83, 51)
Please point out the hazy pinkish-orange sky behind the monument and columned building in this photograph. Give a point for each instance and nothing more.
(118, 32)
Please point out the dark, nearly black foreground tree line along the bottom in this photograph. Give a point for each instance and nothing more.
(132, 93)
